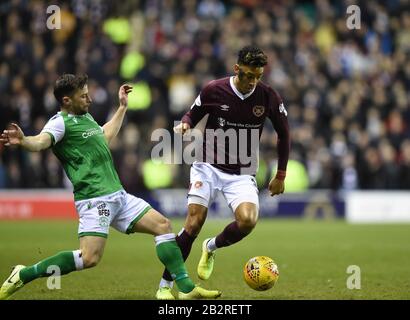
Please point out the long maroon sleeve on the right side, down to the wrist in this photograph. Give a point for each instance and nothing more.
(279, 118)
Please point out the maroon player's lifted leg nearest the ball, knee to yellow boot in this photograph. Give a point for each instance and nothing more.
(246, 216)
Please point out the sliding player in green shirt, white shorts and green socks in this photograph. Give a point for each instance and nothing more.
(81, 145)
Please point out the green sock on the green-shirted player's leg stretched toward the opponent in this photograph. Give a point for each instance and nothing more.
(170, 255)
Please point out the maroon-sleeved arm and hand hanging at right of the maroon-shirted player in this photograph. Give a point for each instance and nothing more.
(280, 123)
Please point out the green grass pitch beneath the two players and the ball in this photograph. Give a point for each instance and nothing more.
(312, 256)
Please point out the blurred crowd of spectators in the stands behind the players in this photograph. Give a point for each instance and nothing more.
(347, 92)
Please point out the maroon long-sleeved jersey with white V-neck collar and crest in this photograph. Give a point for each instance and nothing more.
(234, 121)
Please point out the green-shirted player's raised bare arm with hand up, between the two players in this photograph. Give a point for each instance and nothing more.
(112, 127)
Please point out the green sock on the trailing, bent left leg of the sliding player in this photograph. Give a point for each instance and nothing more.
(64, 260)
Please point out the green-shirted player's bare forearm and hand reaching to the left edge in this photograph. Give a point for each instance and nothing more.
(15, 137)
